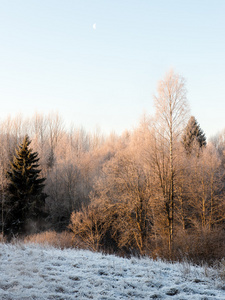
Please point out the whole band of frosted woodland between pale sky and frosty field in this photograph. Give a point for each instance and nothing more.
(158, 190)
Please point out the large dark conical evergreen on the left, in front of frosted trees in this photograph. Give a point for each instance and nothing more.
(25, 197)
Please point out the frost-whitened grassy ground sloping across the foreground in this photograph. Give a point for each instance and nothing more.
(38, 272)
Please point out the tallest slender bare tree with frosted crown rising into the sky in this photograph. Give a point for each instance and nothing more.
(171, 113)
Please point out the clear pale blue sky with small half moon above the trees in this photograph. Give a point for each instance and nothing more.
(52, 59)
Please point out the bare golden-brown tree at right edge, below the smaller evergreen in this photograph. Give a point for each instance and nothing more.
(206, 189)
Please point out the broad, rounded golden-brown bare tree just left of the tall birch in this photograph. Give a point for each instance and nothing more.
(124, 191)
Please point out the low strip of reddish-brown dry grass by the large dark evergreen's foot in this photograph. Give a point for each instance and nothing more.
(59, 240)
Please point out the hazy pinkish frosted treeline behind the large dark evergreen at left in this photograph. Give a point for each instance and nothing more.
(69, 160)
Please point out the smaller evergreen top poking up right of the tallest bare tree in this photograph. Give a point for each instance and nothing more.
(193, 134)
